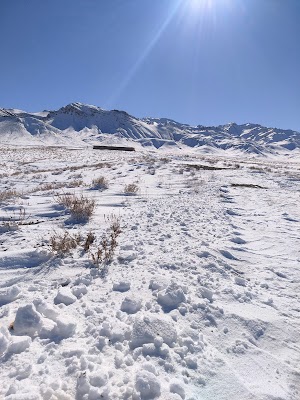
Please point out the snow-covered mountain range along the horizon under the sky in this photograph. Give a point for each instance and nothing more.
(79, 124)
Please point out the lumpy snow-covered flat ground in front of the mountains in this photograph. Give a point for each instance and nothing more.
(200, 301)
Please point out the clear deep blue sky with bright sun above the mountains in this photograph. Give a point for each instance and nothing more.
(196, 61)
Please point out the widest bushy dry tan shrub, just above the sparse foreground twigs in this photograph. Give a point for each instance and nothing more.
(80, 207)
